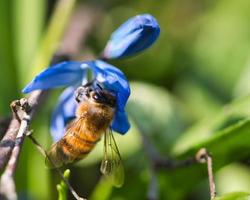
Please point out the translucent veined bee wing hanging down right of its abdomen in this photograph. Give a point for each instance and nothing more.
(112, 166)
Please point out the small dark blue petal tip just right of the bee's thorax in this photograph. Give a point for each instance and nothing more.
(120, 123)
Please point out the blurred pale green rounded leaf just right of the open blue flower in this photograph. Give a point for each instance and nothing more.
(155, 113)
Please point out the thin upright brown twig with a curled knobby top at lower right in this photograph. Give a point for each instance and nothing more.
(204, 157)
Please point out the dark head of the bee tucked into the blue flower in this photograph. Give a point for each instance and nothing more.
(95, 94)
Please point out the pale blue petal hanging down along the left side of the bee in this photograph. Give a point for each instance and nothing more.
(63, 113)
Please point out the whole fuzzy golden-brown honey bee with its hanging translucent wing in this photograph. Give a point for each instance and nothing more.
(95, 111)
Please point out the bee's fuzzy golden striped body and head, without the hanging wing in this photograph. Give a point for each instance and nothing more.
(94, 114)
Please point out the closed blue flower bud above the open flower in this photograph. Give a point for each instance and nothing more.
(135, 35)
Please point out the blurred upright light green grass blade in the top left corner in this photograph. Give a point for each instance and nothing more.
(28, 20)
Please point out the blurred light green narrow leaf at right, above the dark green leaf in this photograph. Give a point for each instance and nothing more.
(206, 128)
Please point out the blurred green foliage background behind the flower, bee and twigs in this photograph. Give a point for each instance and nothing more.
(189, 90)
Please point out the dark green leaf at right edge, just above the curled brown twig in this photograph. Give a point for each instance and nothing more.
(228, 145)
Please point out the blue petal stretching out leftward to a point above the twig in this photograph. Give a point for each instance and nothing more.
(61, 74)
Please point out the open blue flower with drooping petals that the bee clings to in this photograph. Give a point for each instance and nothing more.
(73, 74)
